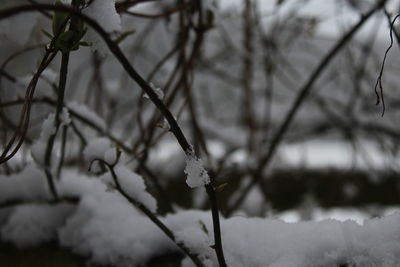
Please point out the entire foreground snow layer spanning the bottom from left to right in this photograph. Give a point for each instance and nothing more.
(107, 229)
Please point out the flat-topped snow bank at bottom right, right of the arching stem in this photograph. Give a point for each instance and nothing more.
(263, 242)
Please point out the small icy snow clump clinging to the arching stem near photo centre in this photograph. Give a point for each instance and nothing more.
(195, 171)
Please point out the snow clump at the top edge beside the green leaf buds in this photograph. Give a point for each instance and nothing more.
(104, 13)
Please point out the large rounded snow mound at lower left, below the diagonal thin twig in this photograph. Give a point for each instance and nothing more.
(109, 230)
